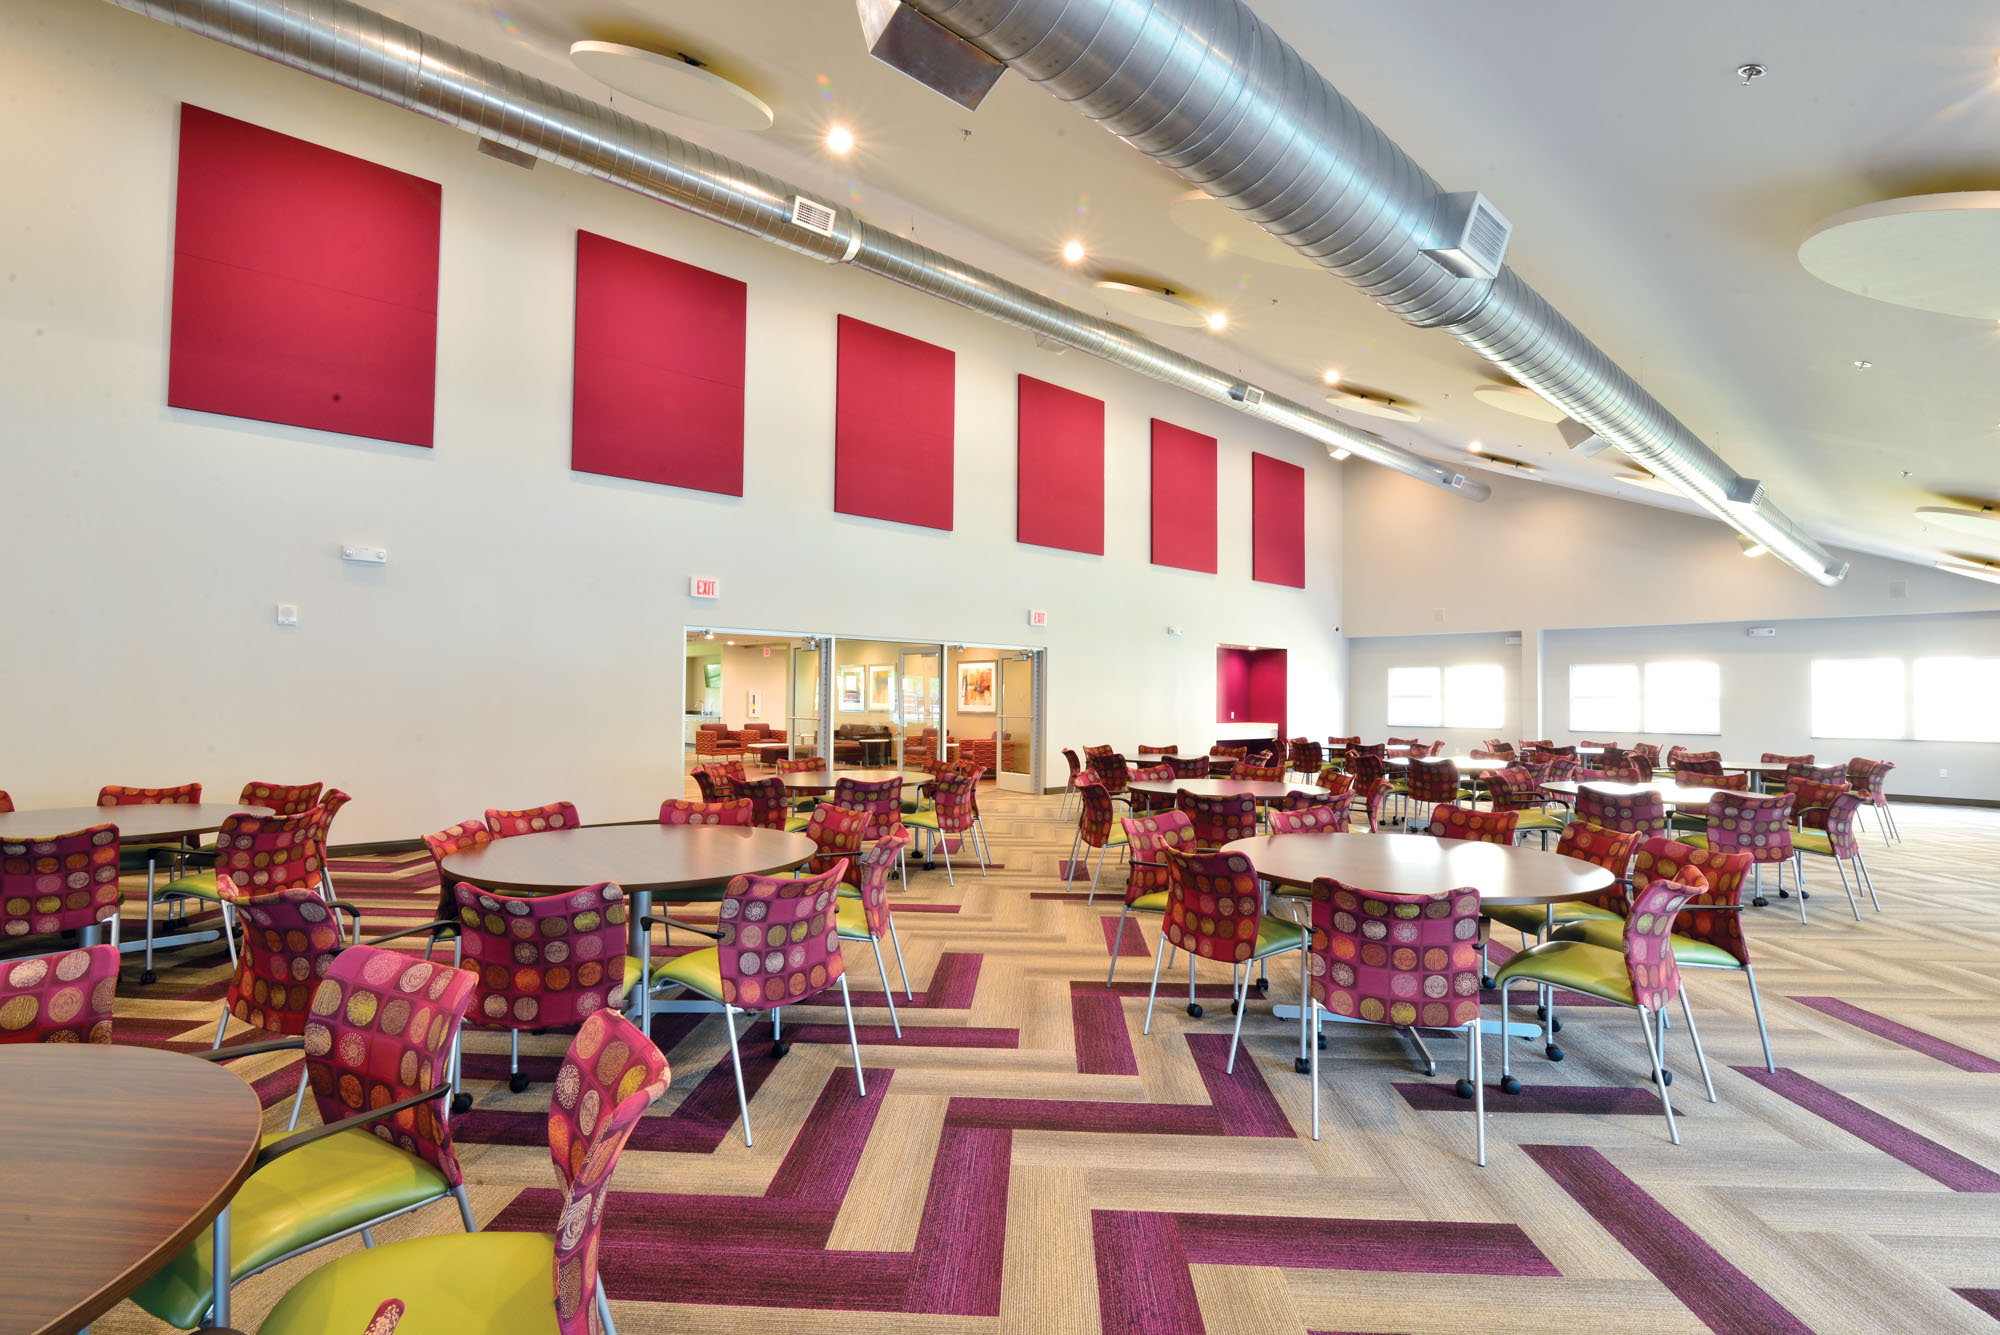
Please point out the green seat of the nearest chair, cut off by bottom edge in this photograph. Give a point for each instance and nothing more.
(449, 1284)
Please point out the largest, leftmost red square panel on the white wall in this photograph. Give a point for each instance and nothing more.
(305, 285)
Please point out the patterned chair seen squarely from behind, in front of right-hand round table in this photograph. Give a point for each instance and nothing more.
(1405, 962)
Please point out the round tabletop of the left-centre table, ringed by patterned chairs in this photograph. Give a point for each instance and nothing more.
(639, 858)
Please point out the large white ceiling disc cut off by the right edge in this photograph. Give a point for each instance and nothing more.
(1927, 251)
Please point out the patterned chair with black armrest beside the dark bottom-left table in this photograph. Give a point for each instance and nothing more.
(379, 1048)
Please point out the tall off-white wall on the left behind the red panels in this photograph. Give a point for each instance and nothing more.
(525, 637)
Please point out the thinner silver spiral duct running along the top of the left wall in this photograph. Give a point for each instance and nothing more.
(369, 53)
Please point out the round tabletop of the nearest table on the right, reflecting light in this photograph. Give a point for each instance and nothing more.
(1423, 866)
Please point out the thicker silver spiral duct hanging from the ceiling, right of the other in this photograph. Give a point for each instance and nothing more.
(1211, 91)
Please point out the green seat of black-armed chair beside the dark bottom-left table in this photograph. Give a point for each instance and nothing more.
(309, 1194)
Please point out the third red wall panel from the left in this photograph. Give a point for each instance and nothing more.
(893, 427)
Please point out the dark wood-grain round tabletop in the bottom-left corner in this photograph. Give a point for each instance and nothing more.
(115, 1160)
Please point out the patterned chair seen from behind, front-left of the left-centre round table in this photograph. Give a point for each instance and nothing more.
(545, 962)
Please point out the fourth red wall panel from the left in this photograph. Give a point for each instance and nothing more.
(1059, 489)
